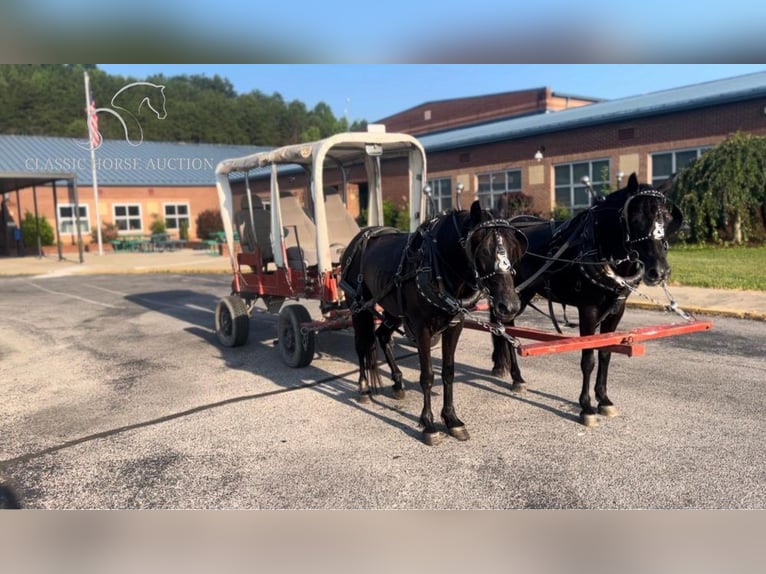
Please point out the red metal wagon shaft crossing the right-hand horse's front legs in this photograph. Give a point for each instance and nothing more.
(625, 342)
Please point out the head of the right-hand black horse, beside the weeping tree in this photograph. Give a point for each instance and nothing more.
(646, 220)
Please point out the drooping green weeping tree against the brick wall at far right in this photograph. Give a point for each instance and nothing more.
(723, 193)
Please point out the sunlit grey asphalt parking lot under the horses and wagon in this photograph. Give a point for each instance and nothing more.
(117, 395)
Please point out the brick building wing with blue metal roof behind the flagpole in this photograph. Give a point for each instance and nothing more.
(136, 184)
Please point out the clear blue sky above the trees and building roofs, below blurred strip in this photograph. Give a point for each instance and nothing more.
(373, 92)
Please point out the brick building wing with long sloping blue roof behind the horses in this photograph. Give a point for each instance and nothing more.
(546, 154)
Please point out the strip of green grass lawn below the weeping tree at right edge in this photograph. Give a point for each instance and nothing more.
(719, 267)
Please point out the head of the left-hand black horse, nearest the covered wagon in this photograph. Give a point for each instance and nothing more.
(494, 246)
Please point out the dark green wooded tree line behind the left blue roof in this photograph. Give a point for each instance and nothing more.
(49, 99)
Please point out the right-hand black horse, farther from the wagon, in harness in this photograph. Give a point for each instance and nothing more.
(594, 261)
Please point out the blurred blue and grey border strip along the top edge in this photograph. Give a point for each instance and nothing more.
(394, 31)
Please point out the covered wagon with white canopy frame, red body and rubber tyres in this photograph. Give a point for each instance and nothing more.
(293, 229)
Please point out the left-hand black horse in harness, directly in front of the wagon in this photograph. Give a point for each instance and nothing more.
(428, 280)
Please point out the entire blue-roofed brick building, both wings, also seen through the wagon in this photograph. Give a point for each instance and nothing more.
(532, 142)
